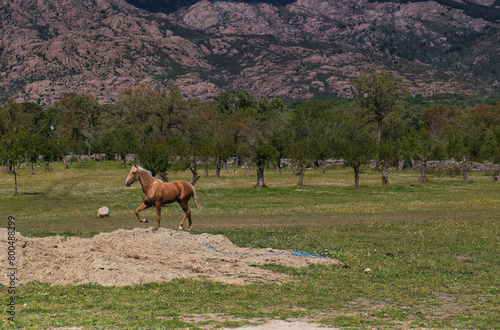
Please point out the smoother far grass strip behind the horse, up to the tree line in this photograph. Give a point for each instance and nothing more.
(67, 200)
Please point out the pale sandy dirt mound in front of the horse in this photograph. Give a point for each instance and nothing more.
(142, 255)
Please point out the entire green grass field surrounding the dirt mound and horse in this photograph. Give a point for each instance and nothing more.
(432, 249)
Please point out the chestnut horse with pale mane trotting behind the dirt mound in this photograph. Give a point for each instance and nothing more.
(158, 193)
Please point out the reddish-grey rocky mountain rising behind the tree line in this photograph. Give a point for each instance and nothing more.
(275, 48)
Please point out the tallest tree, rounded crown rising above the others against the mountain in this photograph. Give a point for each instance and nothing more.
(379, 92)
